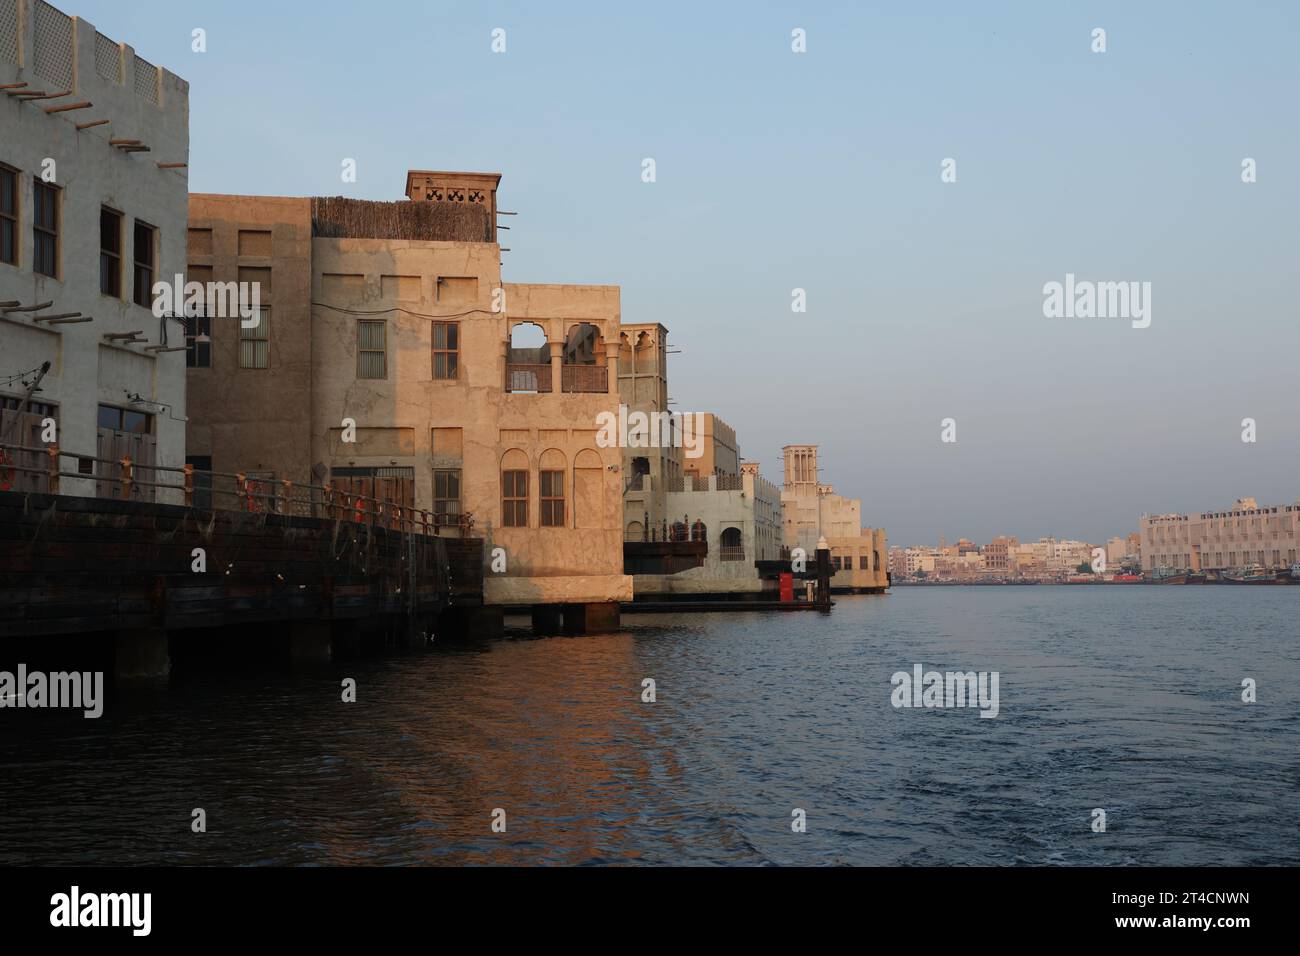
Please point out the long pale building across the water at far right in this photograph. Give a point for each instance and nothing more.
(1214, 540)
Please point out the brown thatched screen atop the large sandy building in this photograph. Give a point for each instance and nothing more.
(359, 219)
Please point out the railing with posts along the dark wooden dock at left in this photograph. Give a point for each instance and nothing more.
(233, 492)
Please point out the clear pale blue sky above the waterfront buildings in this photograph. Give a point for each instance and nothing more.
(822, 171)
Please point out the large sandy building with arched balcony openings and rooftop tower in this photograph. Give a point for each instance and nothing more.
(392, 361)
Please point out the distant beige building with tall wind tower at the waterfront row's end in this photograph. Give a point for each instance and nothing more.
(813, 511)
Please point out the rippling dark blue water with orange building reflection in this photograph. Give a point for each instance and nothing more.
(1124, 699)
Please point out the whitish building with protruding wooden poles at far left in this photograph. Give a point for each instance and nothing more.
(94, 144)
